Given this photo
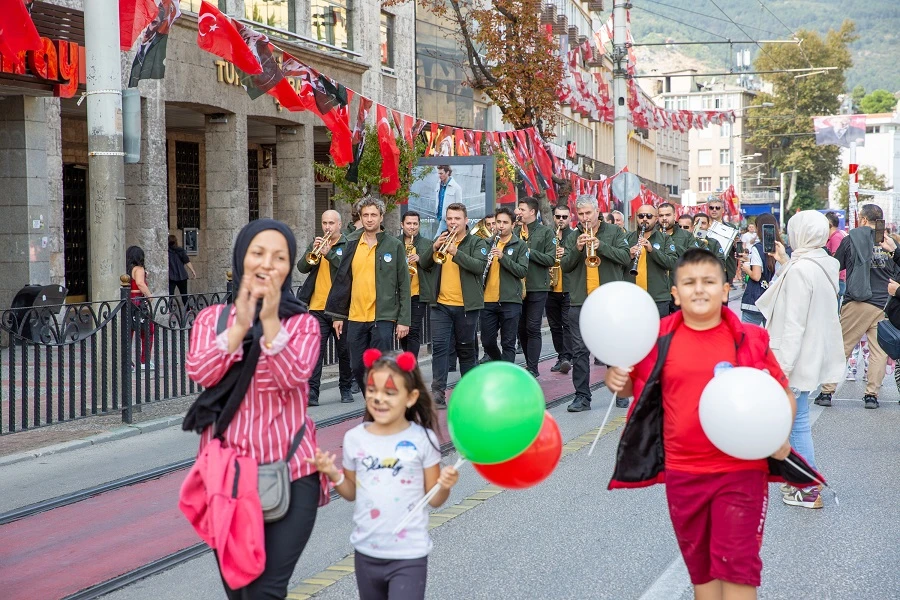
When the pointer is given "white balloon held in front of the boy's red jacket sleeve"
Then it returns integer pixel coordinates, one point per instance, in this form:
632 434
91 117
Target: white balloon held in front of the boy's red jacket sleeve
745 413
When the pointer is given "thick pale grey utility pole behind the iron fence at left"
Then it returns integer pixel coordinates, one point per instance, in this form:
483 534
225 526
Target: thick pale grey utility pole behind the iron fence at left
106 171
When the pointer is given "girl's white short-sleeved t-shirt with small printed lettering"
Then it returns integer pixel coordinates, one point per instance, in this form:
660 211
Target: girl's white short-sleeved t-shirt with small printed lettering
390 475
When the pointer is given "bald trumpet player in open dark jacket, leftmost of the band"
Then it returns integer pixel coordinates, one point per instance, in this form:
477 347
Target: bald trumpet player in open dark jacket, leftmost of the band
314 292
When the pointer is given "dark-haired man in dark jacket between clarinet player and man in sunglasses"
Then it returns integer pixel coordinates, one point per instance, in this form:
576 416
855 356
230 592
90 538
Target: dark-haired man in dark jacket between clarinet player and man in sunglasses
541 256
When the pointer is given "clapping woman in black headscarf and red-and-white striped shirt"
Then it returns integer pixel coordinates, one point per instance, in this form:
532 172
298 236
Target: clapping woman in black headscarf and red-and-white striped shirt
255 366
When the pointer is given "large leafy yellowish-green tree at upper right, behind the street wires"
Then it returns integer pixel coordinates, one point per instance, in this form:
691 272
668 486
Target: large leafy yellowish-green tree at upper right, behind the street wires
785 129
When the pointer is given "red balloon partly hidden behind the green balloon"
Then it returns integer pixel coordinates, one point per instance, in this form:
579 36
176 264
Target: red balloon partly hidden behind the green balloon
532 466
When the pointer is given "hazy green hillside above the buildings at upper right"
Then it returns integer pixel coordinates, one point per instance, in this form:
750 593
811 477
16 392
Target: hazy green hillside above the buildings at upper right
874 54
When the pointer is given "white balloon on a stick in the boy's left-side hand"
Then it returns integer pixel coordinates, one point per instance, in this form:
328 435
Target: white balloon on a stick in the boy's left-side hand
619 323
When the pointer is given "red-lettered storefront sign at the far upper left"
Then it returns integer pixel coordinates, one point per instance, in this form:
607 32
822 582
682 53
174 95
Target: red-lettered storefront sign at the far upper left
60 63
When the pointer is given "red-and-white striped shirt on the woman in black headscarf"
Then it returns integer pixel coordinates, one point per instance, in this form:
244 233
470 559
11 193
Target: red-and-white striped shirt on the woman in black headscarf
274 407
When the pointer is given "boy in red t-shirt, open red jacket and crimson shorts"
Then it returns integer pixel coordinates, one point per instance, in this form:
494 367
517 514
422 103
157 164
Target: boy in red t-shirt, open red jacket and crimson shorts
717 502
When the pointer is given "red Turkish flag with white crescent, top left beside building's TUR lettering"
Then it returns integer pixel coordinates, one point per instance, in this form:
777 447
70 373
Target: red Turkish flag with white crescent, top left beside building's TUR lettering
219 34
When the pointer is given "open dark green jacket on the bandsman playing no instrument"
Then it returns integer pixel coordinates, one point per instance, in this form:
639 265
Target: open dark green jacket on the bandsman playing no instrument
391 281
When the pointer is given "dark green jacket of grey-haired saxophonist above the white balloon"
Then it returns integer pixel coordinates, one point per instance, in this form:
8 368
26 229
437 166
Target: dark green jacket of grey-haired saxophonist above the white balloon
614 259
